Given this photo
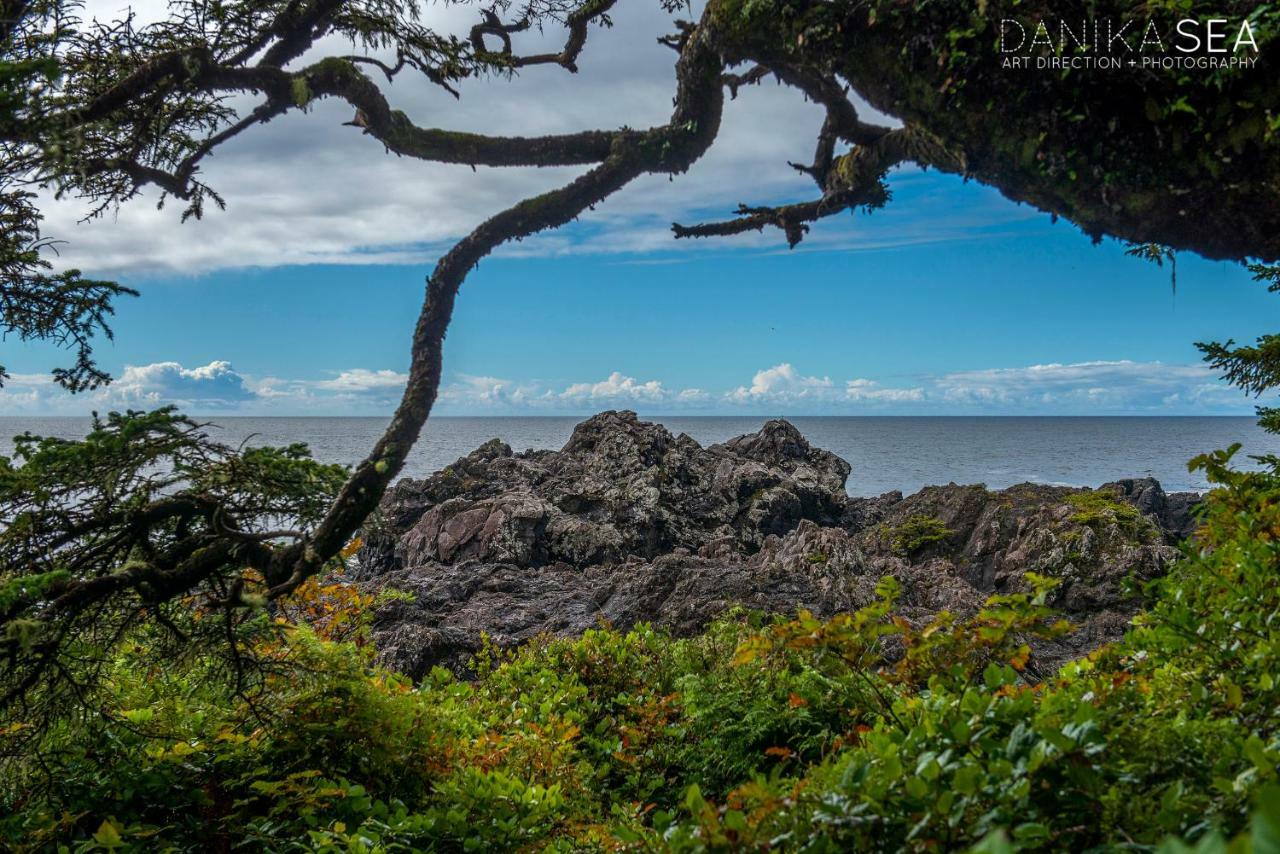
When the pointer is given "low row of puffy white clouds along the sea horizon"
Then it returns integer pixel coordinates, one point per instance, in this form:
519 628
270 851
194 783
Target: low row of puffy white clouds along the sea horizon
1085 389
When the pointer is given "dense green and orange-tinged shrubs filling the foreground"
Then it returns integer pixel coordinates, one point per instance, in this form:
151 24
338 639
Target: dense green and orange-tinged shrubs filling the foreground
862 733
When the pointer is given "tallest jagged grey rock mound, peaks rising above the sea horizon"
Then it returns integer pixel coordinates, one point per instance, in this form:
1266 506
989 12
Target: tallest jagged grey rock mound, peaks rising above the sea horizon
620 488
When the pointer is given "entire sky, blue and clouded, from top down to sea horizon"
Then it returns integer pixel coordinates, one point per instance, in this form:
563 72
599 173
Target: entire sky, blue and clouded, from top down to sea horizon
300 298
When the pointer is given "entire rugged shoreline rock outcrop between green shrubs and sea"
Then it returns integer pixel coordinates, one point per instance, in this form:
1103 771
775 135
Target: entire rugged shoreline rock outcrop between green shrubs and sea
630 524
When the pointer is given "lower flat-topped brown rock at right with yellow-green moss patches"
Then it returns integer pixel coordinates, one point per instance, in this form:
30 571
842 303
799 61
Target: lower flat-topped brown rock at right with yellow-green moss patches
1101 545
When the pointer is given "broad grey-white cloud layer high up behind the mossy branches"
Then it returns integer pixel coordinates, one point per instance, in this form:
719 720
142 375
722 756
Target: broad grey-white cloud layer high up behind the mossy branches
333 195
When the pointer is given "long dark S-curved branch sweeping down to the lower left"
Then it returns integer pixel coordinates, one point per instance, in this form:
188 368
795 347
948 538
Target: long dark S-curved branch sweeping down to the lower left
217 556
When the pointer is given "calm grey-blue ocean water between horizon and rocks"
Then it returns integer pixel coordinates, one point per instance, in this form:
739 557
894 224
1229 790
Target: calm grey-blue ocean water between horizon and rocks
885 453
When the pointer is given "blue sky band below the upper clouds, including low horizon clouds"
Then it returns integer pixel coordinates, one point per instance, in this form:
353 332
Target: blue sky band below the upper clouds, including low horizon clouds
1009 316
